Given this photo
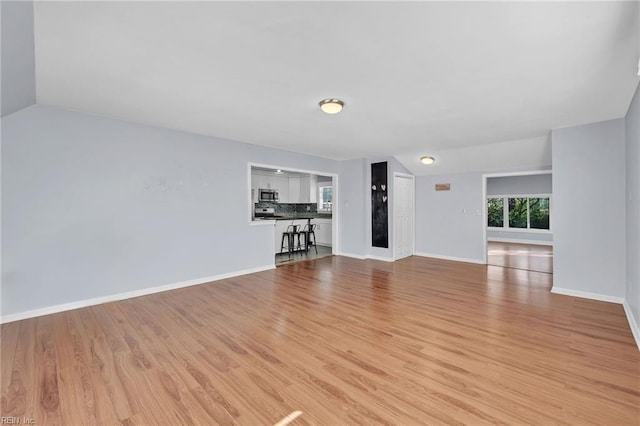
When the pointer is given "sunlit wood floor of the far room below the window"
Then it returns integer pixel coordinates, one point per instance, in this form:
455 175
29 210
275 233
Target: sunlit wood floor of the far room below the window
521 256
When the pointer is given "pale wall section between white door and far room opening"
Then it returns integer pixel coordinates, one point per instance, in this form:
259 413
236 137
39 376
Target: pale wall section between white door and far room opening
442 229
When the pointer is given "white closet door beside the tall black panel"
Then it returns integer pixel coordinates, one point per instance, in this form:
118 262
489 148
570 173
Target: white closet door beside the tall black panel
403 211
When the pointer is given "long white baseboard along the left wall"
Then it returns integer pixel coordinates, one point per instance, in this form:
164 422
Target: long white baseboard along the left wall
126 295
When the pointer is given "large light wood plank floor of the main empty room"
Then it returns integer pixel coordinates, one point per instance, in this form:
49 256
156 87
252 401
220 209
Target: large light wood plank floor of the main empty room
345 341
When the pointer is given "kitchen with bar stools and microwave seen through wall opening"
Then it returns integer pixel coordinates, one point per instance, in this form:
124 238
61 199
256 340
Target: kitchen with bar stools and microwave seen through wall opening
300 206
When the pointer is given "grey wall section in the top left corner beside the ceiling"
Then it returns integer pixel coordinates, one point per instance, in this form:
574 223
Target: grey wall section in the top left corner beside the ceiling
18 81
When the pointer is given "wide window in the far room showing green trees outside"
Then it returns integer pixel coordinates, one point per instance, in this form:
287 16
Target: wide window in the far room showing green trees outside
519 212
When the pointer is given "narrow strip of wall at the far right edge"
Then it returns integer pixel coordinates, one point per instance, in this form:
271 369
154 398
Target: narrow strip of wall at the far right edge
632 156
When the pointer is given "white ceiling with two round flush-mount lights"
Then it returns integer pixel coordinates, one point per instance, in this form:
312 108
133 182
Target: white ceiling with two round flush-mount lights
416 78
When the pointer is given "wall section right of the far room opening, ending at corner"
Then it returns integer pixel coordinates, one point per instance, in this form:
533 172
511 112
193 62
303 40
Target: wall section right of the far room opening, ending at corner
589 208
